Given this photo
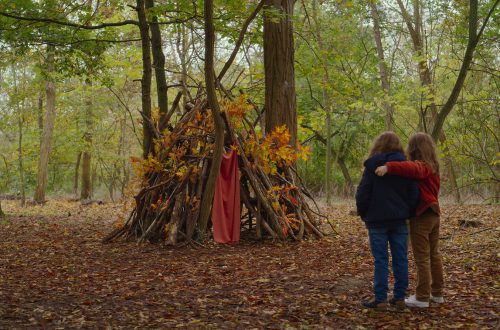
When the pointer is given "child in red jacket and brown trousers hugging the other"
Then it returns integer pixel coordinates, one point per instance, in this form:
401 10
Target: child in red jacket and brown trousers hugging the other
424 228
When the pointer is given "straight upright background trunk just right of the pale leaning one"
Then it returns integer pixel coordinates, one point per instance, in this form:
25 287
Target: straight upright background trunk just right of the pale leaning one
86 192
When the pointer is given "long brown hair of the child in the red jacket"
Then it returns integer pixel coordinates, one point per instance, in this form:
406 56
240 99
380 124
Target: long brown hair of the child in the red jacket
422 147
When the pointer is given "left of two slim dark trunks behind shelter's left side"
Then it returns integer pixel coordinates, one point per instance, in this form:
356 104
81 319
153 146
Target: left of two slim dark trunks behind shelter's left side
147 141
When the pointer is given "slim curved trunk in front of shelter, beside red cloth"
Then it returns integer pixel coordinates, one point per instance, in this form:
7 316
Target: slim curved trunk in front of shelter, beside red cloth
208 194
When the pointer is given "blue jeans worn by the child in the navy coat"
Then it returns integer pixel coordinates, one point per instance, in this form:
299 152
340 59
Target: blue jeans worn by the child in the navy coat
397 237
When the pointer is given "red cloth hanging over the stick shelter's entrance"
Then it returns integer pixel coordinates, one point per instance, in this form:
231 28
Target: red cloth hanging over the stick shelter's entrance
226 207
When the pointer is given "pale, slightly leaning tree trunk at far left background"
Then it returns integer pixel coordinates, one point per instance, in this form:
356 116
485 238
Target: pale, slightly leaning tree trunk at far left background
48 128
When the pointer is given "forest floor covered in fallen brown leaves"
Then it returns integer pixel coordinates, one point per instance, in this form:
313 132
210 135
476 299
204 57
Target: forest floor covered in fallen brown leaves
55 273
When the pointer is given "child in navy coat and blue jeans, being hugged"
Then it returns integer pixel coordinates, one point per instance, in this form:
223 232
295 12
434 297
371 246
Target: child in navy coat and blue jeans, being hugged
385 204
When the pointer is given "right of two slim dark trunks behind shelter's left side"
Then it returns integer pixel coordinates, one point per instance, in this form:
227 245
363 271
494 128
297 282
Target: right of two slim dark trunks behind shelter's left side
158 62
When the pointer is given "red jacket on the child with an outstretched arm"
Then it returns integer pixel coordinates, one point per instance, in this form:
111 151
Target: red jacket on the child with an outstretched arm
428 182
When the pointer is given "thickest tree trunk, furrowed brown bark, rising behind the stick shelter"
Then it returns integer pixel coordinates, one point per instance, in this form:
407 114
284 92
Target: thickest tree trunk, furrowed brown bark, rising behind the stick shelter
280 98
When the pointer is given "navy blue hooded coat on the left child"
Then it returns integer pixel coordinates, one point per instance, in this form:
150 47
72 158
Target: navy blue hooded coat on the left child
385 201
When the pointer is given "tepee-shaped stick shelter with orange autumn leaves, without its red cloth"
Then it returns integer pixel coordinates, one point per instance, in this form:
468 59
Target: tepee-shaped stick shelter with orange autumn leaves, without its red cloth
167 206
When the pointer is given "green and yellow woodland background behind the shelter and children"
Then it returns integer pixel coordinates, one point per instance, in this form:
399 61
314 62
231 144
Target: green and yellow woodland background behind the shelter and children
70 73
